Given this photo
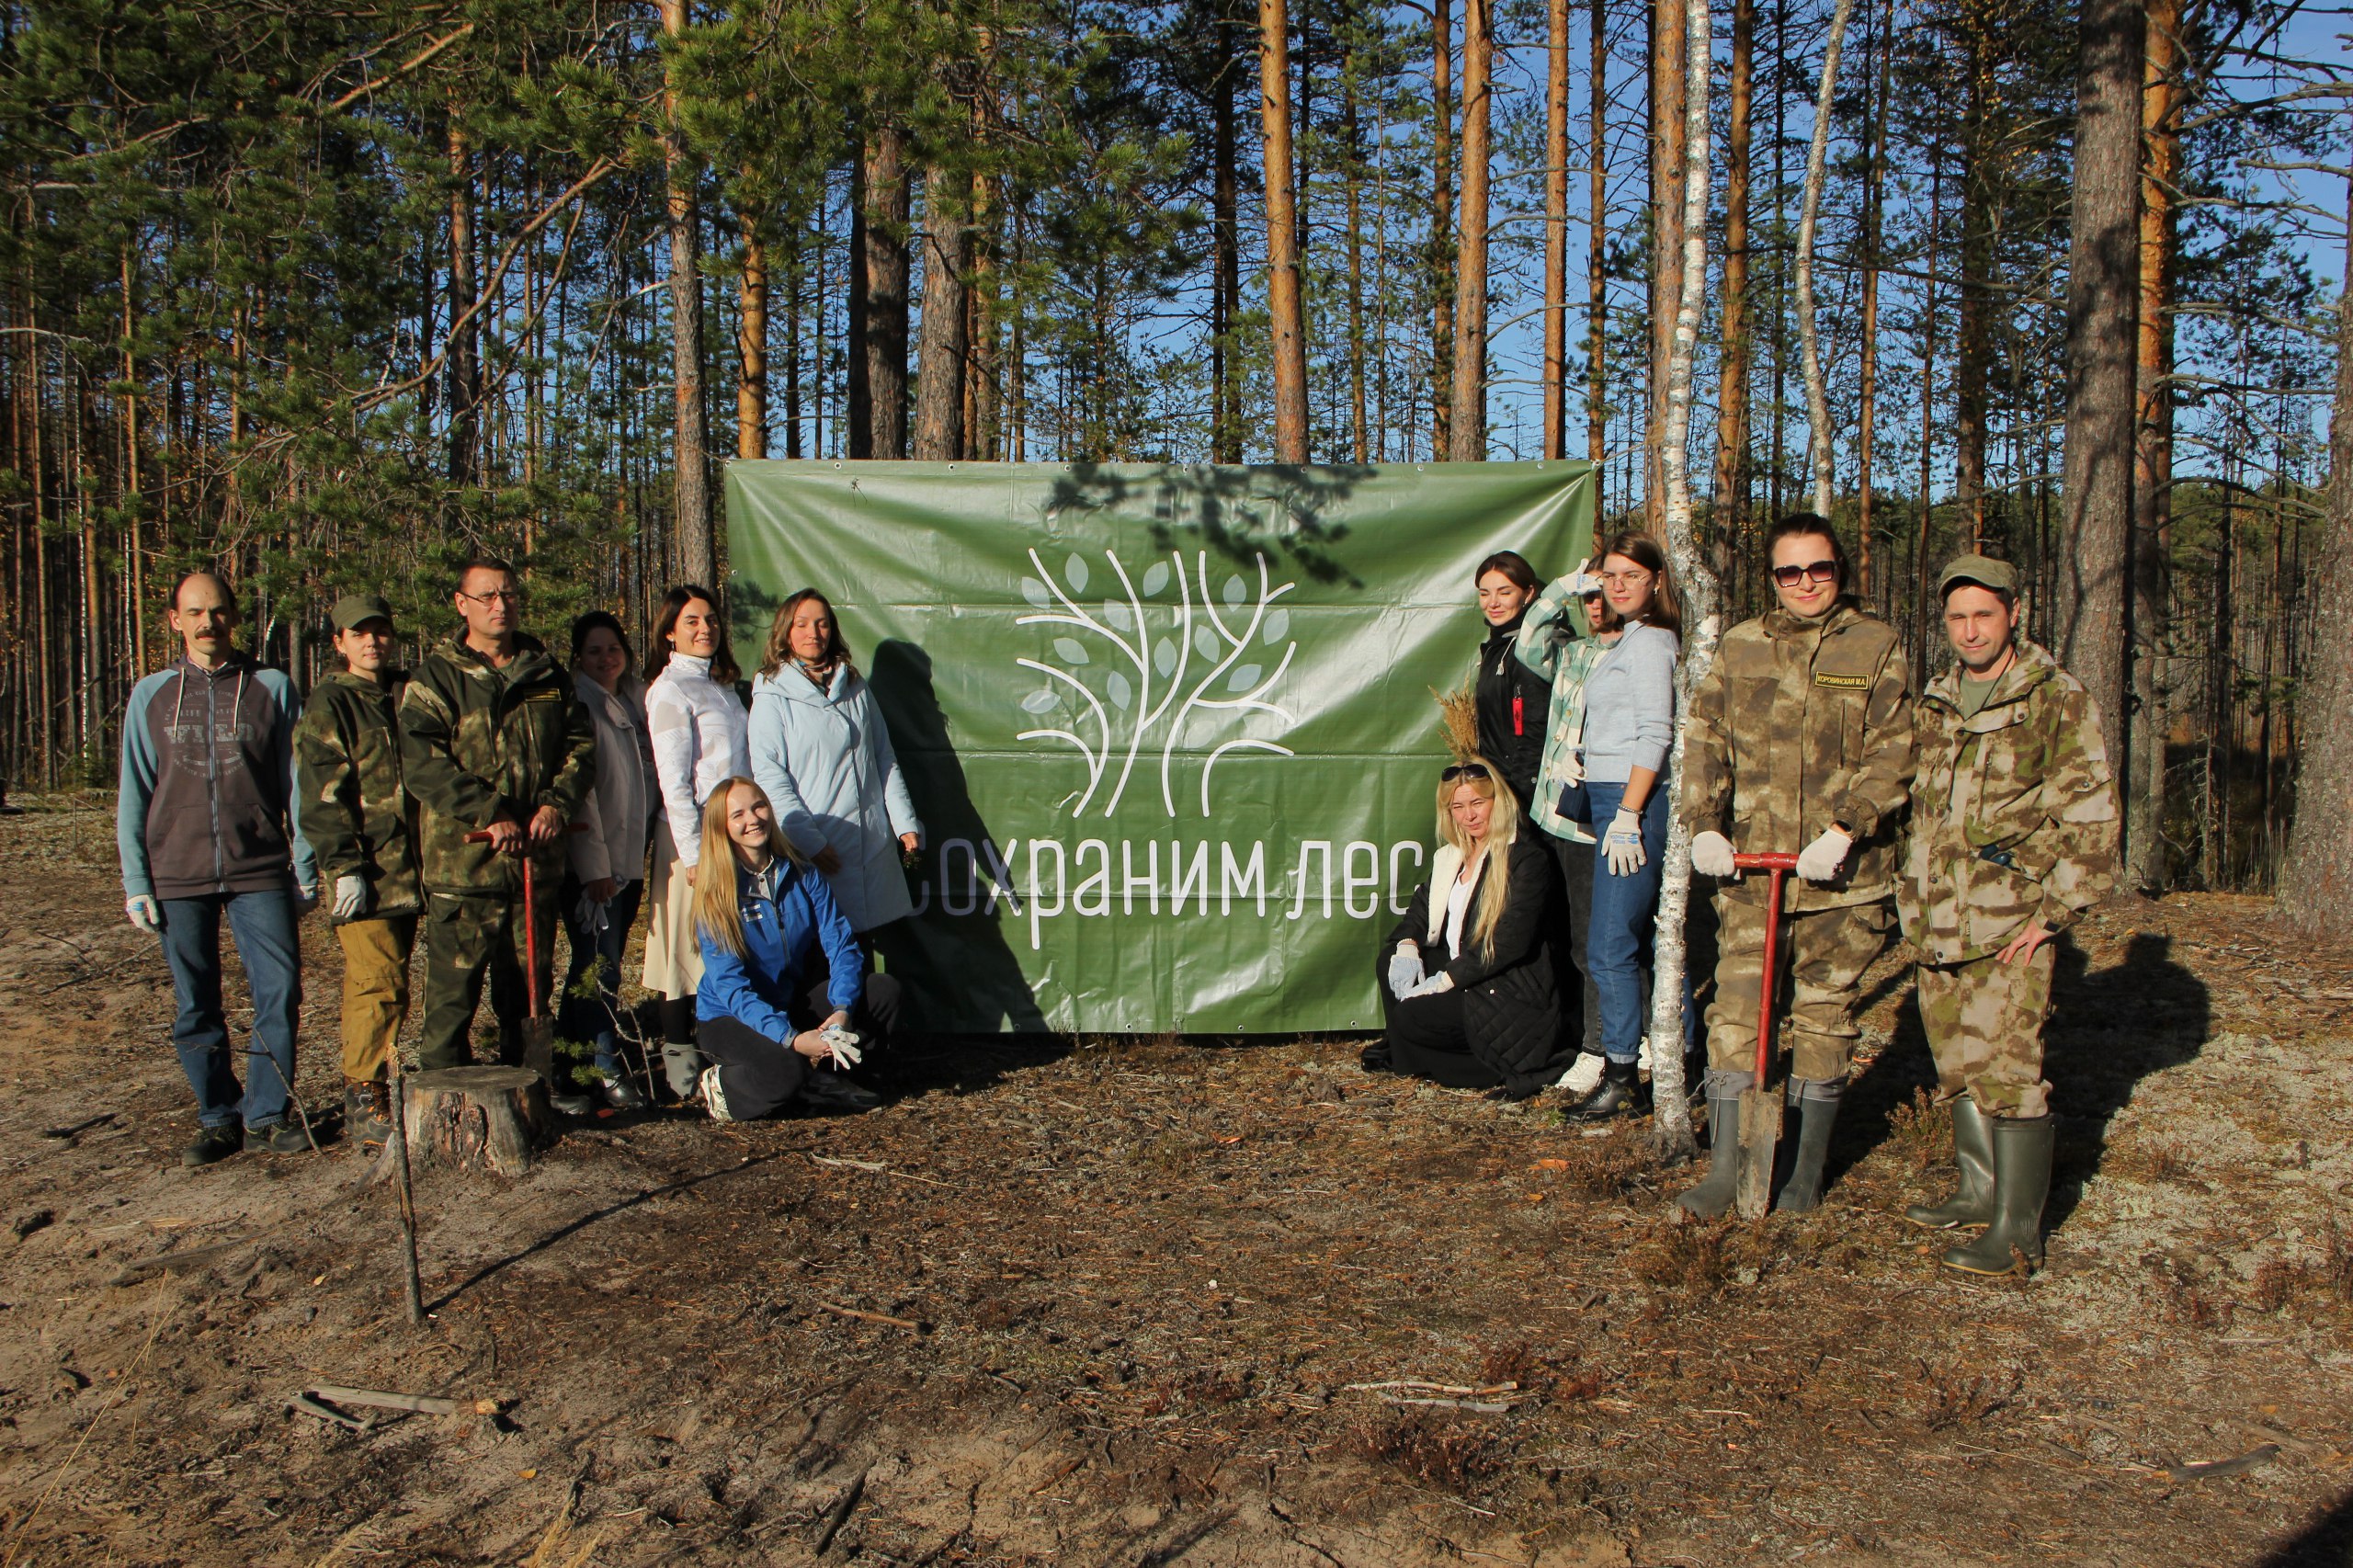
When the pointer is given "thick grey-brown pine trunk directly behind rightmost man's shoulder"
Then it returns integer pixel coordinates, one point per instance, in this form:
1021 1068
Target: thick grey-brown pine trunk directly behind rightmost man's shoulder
2102 324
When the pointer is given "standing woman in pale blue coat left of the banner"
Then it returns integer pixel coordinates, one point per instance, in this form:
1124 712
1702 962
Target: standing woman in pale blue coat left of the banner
825 759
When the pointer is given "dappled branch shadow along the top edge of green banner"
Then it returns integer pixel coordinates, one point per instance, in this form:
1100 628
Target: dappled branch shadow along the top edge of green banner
1229 507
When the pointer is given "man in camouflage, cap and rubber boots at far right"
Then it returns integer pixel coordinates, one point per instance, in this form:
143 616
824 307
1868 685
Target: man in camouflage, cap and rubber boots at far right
2013 837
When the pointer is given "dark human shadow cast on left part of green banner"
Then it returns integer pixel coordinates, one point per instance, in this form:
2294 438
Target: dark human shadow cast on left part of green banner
938 952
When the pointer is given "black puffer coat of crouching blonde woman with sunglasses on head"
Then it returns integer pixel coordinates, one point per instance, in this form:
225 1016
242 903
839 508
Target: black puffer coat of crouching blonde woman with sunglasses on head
1512 999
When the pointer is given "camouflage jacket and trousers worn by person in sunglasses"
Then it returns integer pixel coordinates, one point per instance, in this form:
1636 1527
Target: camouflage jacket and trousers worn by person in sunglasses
1797 726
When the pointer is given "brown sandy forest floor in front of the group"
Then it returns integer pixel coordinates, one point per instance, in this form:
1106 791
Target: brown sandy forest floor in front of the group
1124 1301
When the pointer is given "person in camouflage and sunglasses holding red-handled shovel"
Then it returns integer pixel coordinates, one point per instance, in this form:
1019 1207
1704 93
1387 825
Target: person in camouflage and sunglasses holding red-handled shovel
1801 738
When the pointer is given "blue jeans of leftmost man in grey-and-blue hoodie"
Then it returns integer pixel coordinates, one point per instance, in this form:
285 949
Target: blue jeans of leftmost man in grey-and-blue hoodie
192 943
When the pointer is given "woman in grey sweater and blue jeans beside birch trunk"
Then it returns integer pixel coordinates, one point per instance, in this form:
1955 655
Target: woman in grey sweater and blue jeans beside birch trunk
1627 733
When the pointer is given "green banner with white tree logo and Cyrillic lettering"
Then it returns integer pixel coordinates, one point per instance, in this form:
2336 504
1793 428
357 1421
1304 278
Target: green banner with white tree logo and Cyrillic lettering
1168 729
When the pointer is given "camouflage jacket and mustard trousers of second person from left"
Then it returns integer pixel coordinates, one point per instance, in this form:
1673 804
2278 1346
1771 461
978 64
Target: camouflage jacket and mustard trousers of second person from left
361 823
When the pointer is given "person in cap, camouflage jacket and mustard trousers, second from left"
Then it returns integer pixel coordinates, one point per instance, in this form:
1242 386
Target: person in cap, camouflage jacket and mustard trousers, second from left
356 816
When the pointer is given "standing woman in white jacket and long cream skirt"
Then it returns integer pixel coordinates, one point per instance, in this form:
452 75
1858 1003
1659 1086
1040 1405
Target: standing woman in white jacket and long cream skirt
698 726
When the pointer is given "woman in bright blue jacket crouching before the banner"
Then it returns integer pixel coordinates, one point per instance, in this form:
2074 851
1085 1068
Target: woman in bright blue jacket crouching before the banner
787 1006
